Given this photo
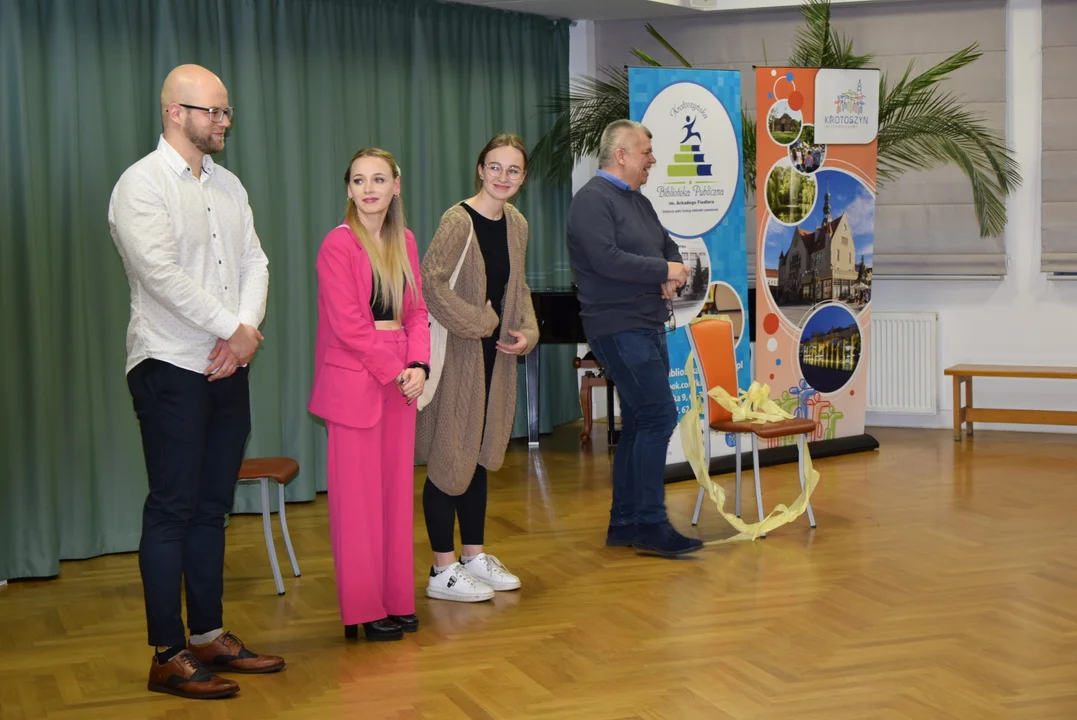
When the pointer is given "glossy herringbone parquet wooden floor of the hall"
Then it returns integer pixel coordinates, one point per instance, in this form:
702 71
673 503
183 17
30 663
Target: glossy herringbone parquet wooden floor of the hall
942 583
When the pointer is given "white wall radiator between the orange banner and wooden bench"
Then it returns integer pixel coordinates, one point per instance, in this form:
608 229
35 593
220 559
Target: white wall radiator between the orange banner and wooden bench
903 364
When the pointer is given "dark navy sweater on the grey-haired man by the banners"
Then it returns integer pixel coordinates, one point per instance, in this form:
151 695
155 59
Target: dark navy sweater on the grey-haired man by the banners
620 252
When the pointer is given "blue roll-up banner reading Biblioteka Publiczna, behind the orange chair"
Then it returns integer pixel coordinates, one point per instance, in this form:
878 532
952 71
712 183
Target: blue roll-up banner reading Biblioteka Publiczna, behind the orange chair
698 191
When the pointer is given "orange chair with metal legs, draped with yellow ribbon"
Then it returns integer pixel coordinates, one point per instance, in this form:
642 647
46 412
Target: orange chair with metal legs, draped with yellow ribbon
712 343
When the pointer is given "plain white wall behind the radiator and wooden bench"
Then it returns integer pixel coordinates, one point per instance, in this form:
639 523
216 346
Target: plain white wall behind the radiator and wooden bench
1025 319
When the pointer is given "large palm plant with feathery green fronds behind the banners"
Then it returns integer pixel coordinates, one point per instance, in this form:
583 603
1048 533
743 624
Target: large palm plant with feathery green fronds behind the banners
921 126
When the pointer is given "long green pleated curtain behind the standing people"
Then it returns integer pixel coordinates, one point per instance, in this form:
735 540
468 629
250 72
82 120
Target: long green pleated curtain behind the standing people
313 81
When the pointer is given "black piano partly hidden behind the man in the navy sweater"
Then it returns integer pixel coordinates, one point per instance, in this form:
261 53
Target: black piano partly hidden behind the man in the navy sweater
557 310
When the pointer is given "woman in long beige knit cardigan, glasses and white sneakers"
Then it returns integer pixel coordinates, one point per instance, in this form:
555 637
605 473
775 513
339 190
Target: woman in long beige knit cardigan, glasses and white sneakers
488 316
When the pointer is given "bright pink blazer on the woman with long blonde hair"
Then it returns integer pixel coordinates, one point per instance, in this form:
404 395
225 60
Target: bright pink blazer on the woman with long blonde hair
353 360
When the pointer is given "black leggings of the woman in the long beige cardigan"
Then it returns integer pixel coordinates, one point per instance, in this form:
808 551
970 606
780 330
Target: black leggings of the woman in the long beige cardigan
442 510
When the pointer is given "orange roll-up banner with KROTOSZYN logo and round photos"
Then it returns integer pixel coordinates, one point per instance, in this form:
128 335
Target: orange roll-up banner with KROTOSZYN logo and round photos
817 139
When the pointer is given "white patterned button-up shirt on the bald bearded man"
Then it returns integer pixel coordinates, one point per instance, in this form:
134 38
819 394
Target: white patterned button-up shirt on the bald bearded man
193 260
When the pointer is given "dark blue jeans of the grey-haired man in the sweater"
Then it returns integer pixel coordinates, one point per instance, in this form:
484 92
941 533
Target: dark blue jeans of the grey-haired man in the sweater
638 362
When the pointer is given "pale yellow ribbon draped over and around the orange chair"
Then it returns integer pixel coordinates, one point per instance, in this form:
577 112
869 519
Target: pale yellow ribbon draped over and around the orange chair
756 406
